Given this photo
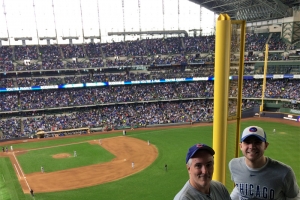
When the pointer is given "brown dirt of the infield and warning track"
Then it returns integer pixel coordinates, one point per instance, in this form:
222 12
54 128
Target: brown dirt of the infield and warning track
126 149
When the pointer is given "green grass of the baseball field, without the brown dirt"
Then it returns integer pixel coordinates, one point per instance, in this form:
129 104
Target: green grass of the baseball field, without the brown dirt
153 182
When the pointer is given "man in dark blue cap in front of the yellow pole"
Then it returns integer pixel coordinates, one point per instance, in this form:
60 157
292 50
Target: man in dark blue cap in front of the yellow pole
200 165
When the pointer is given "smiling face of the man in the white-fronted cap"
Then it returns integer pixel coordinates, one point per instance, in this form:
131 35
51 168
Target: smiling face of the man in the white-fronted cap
253 148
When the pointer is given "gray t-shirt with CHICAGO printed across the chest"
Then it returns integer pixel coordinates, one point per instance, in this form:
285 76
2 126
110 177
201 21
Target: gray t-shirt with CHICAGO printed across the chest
275 180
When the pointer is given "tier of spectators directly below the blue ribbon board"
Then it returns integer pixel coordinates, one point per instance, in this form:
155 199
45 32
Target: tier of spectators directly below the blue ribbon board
31 100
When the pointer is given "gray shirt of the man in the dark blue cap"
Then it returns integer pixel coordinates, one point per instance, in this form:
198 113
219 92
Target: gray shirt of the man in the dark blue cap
217 192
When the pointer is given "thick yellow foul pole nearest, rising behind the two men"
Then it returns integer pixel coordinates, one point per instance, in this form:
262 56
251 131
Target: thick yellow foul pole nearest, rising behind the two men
221 89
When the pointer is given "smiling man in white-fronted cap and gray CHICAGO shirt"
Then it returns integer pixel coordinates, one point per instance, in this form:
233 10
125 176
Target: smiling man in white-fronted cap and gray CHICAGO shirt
259 177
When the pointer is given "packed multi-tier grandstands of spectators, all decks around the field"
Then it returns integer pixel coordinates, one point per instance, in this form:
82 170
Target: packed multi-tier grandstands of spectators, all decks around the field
23 111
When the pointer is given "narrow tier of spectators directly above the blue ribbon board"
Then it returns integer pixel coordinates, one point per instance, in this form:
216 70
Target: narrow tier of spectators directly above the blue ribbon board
152 74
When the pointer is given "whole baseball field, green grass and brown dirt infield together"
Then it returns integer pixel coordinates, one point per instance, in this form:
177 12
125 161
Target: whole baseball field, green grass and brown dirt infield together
103 167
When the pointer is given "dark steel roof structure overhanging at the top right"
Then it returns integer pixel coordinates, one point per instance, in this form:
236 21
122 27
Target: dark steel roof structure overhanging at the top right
251 10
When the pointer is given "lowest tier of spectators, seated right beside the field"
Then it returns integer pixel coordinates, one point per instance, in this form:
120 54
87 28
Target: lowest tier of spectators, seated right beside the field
117 116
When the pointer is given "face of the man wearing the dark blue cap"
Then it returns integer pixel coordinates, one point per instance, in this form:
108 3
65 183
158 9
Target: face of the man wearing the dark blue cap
201 169
